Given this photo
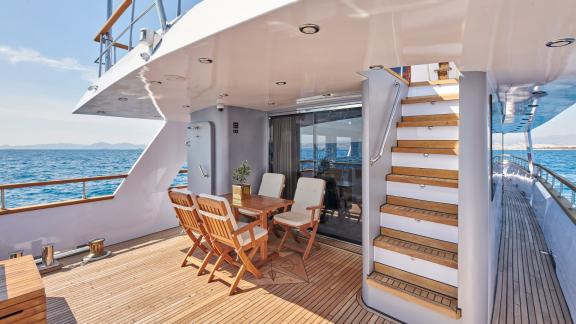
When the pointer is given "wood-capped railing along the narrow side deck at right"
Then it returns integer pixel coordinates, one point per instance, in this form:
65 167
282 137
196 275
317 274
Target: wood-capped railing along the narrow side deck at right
559 187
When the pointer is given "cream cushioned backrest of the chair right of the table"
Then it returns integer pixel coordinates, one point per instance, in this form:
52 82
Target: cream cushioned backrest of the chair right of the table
309 192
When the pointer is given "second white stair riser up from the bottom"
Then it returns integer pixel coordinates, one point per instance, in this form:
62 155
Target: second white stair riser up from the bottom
416 226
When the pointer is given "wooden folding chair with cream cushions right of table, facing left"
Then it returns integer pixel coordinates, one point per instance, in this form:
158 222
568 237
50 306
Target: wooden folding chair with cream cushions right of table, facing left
304 214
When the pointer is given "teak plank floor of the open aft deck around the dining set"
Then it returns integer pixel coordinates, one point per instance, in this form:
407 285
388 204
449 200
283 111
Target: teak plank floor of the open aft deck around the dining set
143 282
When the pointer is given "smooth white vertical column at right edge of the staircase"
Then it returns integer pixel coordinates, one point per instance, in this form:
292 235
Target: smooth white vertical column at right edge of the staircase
474 199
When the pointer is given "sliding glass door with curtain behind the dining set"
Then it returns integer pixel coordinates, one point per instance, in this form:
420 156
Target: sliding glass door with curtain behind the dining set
326 145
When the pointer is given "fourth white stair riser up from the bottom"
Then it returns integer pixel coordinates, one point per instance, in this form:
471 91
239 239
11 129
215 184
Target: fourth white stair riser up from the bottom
419 160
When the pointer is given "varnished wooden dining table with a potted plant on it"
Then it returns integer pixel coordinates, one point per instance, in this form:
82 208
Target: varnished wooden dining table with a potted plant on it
264 206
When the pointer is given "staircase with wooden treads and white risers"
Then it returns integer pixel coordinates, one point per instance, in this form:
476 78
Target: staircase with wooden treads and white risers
416 253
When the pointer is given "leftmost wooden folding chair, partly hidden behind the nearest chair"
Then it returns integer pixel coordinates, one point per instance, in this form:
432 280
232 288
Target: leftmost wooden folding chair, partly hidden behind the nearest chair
186 212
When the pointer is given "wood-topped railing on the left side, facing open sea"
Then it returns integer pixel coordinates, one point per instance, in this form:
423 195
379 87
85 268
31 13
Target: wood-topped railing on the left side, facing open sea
84 181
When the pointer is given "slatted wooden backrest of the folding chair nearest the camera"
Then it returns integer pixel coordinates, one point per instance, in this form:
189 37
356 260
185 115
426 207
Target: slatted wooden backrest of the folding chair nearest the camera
217 218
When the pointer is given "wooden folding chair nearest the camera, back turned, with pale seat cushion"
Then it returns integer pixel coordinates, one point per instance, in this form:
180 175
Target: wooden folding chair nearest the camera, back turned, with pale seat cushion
229 235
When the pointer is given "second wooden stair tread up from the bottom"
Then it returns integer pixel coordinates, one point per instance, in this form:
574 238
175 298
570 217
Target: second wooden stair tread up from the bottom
419 251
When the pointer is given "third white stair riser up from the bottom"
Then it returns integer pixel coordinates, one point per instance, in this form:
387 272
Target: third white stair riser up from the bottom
429 193
